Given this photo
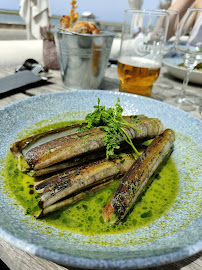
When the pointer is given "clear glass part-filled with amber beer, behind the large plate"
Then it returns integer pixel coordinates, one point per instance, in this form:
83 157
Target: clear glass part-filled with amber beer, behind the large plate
142 48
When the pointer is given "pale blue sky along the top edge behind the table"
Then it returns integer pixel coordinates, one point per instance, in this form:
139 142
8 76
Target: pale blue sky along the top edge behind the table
104 10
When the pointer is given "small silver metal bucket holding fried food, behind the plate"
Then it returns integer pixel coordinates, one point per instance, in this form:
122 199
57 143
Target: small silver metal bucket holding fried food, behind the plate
83 58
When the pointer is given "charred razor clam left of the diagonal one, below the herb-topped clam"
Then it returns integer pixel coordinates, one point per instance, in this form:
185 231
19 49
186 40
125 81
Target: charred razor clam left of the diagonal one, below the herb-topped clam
68 182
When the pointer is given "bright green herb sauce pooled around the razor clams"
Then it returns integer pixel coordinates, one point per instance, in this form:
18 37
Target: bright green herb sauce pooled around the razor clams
85 216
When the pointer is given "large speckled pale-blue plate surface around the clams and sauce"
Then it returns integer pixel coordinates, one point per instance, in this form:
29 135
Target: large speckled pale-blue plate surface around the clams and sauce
175 235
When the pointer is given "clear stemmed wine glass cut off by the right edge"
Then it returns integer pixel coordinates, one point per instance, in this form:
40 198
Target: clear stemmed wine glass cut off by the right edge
189 48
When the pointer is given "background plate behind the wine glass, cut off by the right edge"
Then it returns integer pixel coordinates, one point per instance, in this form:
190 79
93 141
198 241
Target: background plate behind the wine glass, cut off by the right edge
172 67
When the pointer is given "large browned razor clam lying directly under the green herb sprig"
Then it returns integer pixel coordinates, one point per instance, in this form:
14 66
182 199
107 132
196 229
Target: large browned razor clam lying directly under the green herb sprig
74 145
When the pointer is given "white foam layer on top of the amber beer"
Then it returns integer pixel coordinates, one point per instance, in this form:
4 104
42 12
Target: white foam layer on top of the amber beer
139 62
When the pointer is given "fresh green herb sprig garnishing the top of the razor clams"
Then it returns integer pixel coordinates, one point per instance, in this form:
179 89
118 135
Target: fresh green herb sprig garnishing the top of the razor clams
112 122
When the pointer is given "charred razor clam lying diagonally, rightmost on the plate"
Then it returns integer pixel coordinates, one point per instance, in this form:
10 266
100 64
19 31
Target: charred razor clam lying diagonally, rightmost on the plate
137 177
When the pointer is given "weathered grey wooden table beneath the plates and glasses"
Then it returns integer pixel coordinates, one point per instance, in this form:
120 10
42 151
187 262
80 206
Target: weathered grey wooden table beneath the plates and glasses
16 259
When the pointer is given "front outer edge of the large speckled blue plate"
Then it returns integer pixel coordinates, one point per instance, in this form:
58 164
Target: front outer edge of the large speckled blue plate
69 260
